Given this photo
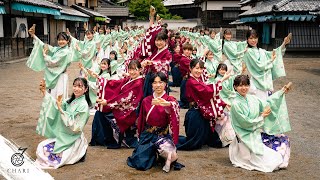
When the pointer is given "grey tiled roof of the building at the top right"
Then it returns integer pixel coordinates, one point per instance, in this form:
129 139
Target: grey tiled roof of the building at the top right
266 7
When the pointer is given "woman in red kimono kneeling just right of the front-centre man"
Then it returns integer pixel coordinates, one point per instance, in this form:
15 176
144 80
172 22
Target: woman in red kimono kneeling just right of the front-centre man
206 107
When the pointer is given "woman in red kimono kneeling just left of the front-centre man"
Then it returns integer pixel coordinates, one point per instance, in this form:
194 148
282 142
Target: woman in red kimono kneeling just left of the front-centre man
113 126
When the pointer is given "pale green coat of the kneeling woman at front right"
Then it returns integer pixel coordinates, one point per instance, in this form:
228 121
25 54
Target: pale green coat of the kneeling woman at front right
248 123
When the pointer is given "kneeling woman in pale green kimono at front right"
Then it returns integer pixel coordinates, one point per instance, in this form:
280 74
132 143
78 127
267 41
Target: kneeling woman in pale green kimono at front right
259 144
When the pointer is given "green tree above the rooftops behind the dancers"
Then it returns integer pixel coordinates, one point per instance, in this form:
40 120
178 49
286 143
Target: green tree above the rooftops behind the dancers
140 9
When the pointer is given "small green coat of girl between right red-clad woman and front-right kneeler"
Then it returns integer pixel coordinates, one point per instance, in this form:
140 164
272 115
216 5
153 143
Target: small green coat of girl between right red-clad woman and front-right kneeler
227 94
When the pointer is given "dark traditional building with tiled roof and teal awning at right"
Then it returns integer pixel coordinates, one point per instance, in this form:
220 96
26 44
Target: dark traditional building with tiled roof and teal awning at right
274 19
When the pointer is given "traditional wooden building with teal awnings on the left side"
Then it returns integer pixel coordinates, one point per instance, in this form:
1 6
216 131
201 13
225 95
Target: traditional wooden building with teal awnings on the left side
50 17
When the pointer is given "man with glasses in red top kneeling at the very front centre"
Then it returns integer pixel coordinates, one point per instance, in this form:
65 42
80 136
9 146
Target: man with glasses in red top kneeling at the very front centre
158 112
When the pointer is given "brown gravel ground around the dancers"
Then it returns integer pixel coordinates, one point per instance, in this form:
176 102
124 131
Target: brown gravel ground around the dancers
20 106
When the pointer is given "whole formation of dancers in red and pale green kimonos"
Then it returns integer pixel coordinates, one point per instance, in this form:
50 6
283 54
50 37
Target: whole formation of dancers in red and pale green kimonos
124 77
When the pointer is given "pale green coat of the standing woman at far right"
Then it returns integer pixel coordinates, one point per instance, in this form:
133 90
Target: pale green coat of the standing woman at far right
263 71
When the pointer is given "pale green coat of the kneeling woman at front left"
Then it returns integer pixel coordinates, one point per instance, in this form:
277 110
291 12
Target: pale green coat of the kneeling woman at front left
66 128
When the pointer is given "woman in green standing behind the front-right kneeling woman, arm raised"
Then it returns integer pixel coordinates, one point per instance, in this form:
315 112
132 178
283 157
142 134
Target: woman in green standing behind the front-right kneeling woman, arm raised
263 66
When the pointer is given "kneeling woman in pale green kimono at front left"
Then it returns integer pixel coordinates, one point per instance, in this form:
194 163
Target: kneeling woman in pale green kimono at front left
63 123
